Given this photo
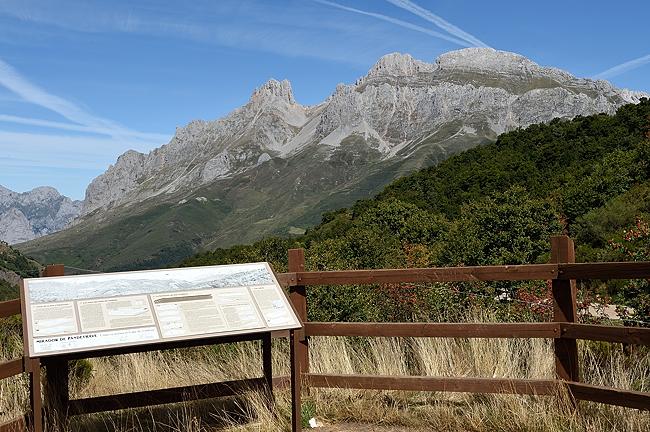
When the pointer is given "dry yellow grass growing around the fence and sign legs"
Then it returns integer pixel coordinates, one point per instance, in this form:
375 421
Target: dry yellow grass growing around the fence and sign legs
602 364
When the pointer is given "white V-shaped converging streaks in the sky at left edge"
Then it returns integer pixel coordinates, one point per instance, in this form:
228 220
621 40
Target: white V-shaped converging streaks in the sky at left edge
29 92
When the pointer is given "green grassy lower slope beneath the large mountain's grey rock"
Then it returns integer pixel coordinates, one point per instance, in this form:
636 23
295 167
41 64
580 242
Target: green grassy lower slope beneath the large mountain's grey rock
273 199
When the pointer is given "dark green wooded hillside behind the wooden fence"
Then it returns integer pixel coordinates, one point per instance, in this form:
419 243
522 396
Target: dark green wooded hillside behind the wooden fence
494 204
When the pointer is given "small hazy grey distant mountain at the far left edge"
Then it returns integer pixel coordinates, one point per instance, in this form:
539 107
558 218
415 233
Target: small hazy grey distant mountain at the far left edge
28 215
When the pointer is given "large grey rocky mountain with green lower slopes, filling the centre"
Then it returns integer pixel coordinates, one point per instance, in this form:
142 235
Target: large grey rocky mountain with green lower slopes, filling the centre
273 166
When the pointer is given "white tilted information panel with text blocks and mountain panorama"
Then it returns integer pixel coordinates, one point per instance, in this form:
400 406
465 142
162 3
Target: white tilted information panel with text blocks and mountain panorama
83 313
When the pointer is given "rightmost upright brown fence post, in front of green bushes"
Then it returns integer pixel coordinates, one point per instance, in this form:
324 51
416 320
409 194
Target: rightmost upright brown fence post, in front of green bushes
564 310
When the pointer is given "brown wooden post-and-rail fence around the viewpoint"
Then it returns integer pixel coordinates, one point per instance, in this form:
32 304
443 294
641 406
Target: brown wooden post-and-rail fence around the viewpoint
564 330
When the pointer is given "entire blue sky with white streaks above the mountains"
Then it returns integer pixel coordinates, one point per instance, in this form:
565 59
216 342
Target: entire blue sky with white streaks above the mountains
82 81
